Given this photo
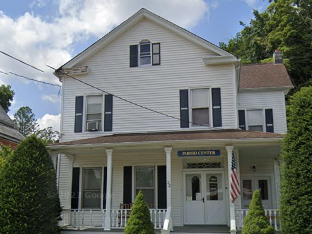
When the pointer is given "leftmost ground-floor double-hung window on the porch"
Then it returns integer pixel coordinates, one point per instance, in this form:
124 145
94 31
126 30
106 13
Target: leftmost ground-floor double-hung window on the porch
91 188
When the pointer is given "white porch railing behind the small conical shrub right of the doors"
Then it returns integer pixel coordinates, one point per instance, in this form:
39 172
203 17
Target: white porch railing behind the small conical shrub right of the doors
273 216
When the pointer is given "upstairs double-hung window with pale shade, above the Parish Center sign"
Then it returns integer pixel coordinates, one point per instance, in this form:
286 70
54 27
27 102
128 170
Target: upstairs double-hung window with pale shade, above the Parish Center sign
200 107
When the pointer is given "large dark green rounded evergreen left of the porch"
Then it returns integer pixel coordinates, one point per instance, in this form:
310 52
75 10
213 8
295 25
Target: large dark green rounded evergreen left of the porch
29 201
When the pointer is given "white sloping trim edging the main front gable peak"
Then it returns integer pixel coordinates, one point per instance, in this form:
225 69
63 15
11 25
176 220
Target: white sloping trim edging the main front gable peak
134 19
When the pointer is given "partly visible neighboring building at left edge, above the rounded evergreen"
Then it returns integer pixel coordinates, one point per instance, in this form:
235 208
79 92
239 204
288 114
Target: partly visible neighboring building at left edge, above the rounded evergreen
9 134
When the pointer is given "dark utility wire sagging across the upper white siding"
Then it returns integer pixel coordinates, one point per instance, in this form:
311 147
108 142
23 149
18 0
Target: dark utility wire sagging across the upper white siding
123 99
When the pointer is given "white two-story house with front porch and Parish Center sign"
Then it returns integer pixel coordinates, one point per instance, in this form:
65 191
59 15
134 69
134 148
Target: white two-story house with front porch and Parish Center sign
175 109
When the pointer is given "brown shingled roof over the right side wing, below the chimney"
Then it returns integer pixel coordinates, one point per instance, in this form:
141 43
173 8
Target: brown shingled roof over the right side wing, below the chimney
266 75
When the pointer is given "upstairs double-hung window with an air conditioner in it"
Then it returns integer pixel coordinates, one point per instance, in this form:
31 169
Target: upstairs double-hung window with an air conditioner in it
94 109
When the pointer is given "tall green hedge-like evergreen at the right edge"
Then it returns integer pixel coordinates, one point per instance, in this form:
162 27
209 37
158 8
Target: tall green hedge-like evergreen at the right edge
296 199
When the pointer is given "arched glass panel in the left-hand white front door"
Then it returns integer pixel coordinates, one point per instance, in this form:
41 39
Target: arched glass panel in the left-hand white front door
193 187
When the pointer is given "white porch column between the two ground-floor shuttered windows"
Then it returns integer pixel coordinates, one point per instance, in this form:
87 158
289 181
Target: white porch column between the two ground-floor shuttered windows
109 153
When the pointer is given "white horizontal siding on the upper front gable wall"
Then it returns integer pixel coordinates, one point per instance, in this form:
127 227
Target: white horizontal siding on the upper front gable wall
156 87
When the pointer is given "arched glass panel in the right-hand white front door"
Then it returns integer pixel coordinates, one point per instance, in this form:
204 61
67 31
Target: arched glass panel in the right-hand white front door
214 188
